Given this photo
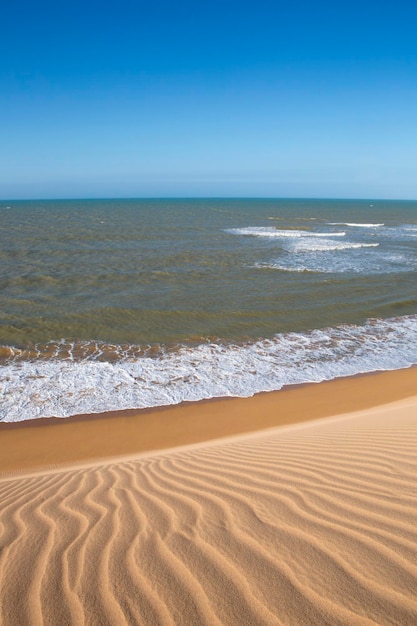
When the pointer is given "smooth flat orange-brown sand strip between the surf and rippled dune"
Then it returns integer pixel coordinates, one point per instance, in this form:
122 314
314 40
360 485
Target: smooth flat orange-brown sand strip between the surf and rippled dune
53 442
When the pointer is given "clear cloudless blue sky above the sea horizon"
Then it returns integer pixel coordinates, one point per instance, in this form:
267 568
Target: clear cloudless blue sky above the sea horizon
134 98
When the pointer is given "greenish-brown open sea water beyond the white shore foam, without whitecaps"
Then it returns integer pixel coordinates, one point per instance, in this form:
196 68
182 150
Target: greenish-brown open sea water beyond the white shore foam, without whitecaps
151 271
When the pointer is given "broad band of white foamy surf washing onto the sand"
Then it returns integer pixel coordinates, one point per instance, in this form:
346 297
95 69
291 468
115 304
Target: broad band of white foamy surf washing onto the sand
63 386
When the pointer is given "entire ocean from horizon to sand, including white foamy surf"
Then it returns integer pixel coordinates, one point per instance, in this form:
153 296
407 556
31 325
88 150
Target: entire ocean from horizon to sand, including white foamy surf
114 304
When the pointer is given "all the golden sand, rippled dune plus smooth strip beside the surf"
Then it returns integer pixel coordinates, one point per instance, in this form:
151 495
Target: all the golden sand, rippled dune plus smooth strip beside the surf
312 522
